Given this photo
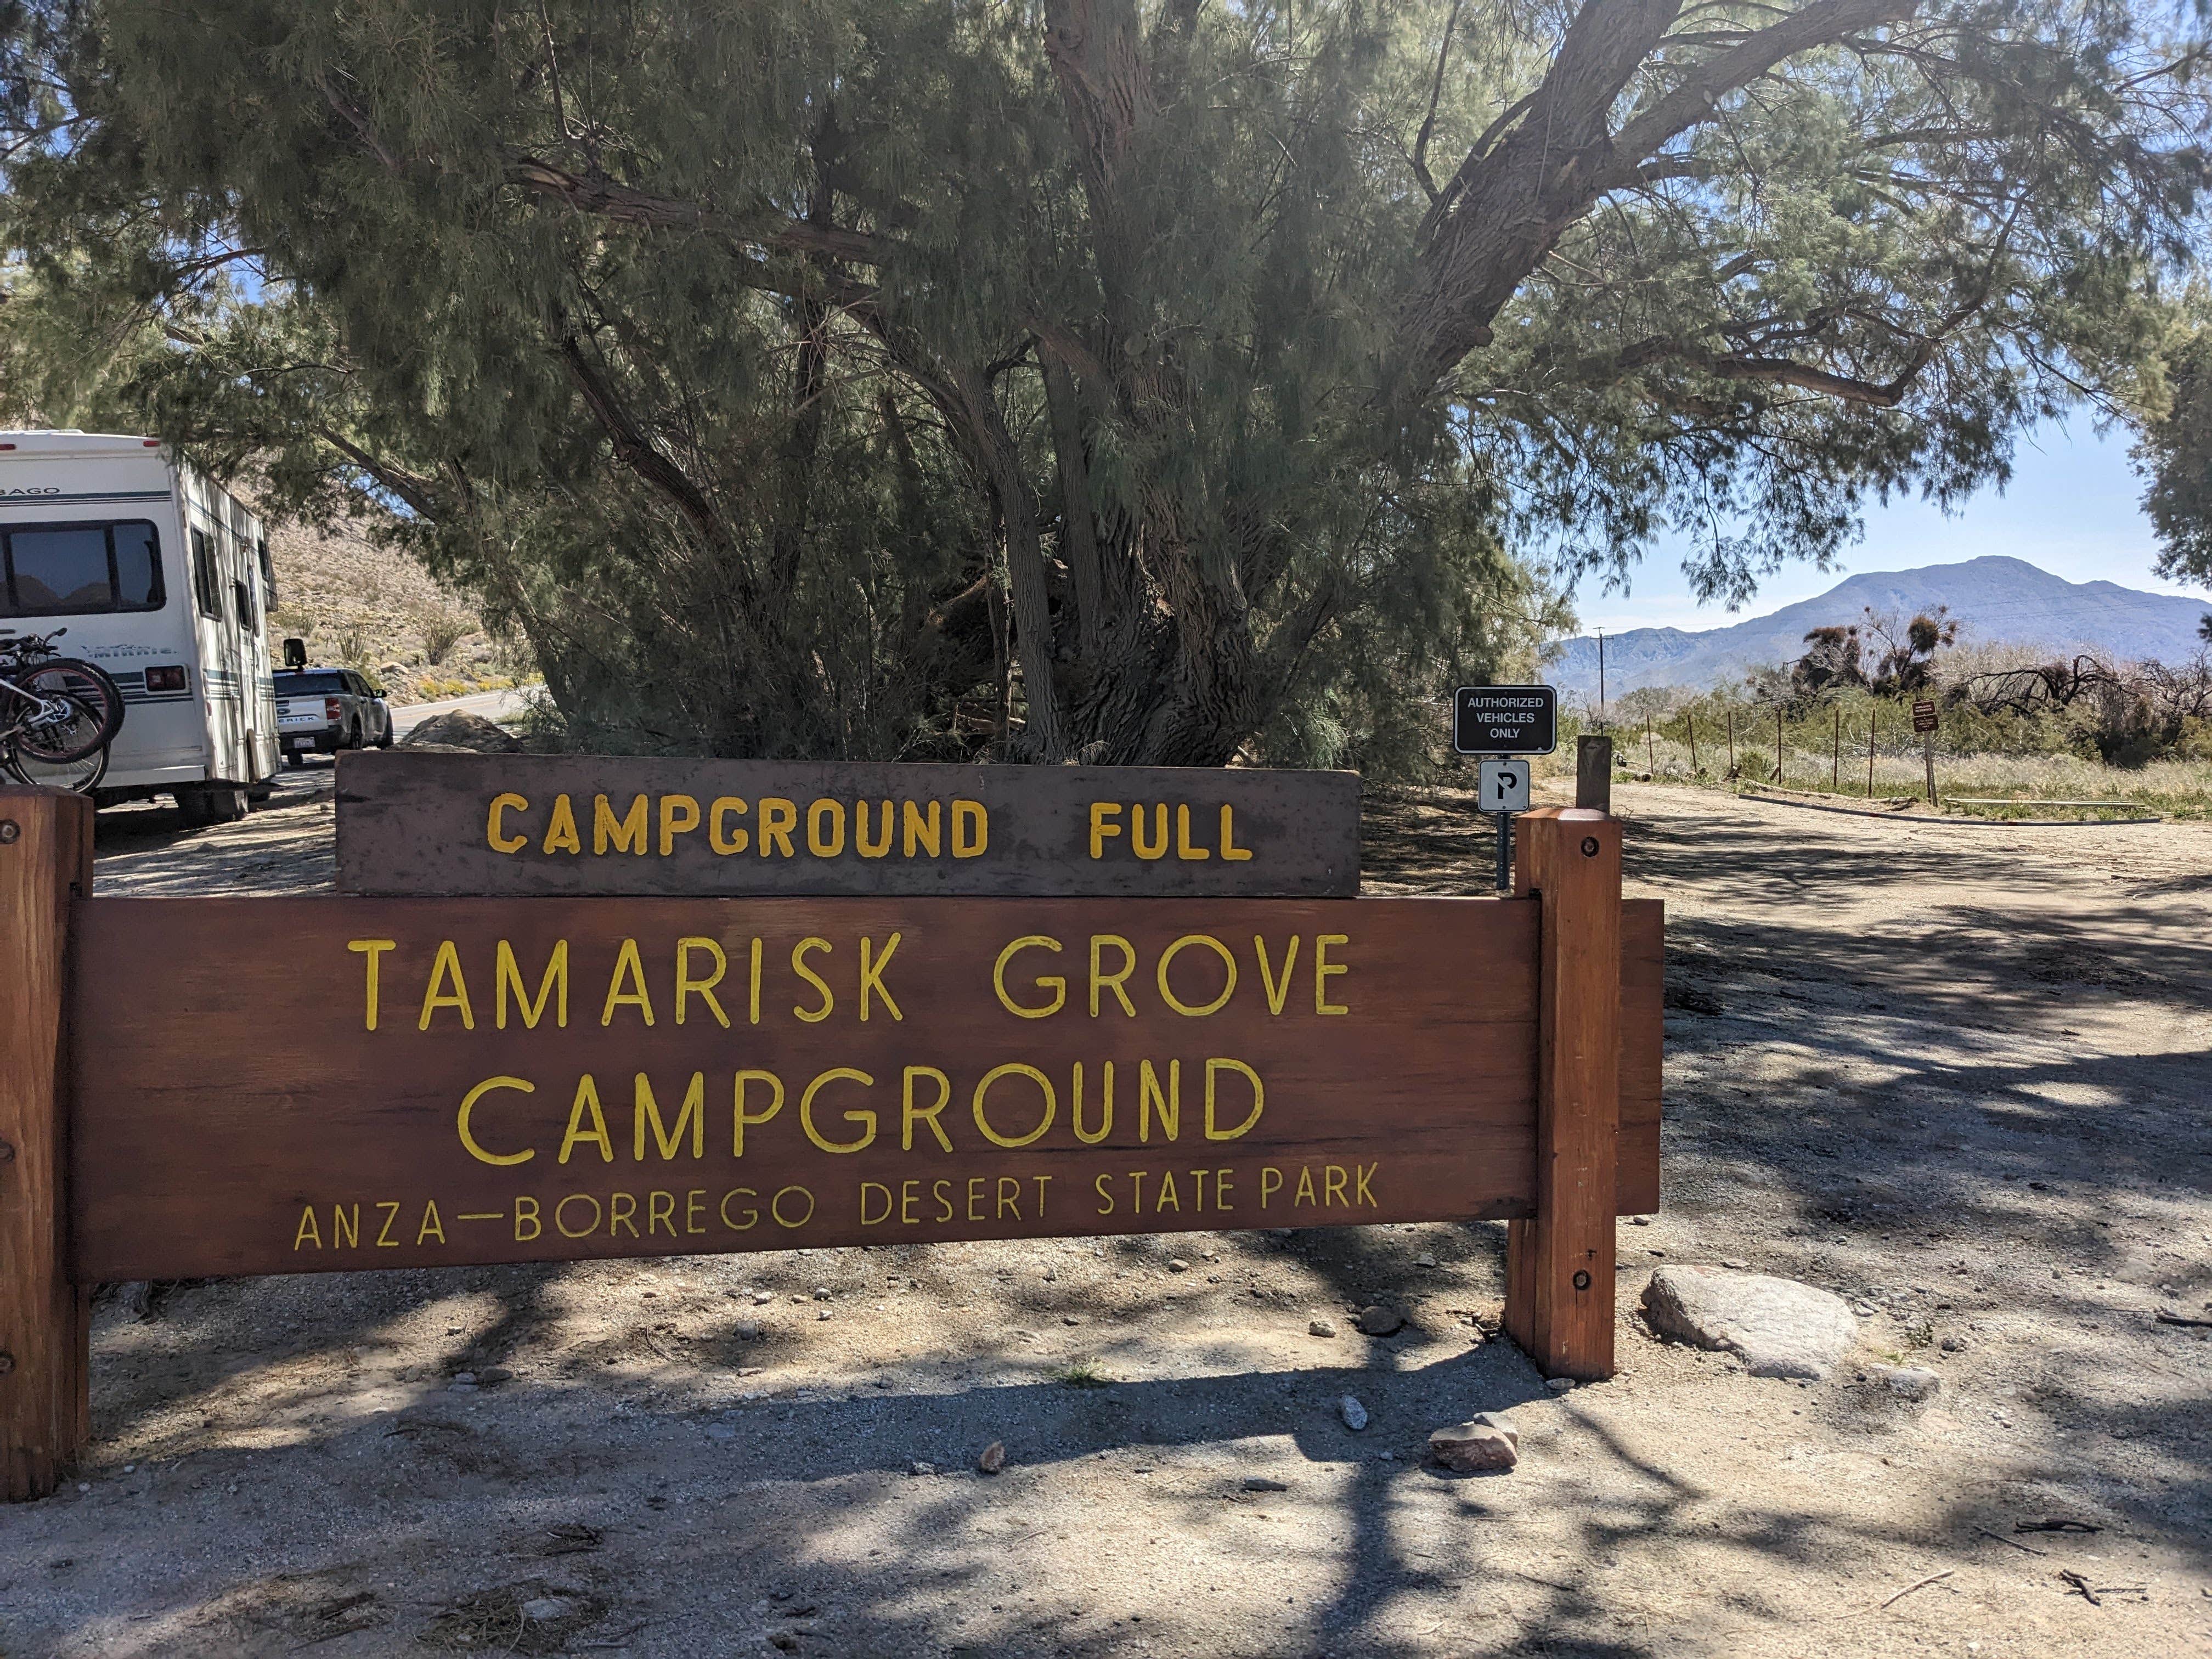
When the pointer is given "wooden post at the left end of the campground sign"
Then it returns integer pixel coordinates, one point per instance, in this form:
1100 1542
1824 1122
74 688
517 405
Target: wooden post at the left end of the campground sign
45 1322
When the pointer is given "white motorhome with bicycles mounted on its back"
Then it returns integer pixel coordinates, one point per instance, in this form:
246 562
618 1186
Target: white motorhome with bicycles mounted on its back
165 581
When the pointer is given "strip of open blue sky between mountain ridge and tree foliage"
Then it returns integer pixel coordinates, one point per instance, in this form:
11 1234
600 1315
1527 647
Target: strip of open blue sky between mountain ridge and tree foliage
2069 508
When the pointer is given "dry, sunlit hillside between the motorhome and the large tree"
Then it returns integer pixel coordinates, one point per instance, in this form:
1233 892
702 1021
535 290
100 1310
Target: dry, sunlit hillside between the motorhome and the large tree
377 609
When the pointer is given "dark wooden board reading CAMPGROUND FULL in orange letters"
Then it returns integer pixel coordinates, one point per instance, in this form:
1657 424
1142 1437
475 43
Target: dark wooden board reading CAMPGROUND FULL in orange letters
592 824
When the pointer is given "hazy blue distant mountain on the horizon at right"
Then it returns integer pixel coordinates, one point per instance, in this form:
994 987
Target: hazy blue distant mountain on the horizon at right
1996 598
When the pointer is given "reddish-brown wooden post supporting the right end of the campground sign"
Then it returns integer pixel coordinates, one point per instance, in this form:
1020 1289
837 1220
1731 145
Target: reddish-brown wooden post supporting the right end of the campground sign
1561 1262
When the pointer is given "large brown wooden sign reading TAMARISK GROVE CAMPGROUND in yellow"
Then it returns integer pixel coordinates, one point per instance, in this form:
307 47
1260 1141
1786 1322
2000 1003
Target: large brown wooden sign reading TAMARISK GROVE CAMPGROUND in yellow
335 1085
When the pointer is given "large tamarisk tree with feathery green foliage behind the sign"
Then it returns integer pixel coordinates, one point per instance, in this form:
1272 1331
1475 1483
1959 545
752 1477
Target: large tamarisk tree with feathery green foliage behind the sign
1083 379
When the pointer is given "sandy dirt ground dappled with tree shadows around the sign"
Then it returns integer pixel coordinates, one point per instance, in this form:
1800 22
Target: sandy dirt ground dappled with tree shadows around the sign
1954 1074
